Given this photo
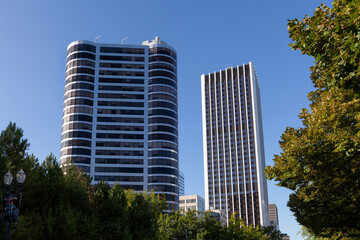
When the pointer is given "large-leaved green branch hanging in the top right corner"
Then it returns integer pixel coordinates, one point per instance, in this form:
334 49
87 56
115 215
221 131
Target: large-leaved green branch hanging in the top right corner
332 37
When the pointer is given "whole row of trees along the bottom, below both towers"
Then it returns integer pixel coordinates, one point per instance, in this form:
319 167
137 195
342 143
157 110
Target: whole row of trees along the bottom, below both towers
61 203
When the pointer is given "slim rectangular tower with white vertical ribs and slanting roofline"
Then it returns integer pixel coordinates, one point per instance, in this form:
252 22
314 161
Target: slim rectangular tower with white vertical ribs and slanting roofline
233 144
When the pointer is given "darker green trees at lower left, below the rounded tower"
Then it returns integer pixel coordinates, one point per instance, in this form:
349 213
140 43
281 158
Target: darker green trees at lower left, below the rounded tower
58 204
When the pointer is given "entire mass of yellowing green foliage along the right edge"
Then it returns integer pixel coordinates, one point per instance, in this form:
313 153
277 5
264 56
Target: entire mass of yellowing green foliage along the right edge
320 161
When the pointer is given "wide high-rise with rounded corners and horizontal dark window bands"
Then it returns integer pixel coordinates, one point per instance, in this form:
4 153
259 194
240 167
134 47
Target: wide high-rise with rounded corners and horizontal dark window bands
120 120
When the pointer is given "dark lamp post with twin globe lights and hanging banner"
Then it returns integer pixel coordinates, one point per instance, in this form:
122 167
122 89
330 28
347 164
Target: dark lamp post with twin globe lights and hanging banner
12 200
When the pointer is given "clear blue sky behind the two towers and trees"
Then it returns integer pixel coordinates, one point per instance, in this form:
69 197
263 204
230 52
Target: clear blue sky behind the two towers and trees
208 36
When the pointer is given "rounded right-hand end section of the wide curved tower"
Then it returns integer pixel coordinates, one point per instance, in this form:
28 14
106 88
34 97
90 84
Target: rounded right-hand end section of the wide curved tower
163 164
